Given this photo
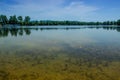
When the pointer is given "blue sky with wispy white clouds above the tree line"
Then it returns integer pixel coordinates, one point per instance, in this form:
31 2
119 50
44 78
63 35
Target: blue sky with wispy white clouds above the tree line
78 10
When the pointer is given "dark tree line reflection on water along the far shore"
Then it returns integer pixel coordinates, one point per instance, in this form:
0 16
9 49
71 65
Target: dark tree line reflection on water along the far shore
4 32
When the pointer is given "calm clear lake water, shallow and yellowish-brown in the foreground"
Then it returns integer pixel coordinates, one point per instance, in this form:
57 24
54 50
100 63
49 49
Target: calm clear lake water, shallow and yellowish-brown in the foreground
64 53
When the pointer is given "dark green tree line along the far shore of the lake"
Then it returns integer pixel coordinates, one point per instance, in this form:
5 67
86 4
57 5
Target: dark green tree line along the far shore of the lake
27 21
